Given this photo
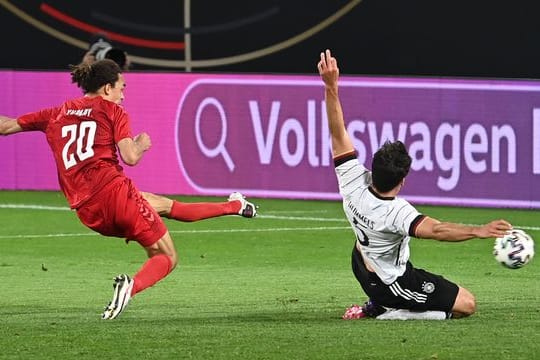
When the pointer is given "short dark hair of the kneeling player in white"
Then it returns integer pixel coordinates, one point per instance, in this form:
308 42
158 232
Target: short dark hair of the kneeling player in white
390 164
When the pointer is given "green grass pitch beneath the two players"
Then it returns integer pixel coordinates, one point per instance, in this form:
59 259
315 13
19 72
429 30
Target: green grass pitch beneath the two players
273 287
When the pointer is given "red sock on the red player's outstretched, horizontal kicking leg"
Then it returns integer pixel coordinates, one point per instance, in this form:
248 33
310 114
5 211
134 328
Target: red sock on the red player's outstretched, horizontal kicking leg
198 211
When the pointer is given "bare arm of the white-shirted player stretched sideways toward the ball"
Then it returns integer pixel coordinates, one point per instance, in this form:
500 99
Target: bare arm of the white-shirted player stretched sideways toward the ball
431 228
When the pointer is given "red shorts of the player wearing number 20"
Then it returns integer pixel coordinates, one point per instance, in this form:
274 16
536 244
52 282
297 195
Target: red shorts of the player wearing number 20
120 210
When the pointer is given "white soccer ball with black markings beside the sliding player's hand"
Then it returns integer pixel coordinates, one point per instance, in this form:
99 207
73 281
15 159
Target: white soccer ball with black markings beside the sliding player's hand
514 250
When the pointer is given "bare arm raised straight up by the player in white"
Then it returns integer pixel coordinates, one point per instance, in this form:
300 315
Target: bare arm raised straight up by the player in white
329 71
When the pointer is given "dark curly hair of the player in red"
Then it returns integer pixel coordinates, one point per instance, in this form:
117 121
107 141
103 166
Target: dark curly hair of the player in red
91 77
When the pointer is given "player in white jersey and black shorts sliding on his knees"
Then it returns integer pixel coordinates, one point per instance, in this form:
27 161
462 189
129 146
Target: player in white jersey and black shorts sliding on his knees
384 224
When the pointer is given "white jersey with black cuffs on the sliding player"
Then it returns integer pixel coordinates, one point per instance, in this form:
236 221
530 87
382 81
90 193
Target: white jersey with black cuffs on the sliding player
382 225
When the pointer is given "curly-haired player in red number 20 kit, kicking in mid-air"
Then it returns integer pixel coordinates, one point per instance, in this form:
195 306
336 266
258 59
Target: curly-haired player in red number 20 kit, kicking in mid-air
83 135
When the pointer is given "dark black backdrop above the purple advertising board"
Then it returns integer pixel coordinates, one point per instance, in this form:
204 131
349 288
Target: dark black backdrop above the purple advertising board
490 39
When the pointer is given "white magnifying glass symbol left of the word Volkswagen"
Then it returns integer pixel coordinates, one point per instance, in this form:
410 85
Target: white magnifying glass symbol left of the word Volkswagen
219 149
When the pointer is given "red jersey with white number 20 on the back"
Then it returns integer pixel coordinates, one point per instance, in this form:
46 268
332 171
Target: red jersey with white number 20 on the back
82 134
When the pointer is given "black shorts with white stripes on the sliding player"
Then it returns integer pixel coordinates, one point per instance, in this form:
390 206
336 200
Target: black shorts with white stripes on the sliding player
415 290
